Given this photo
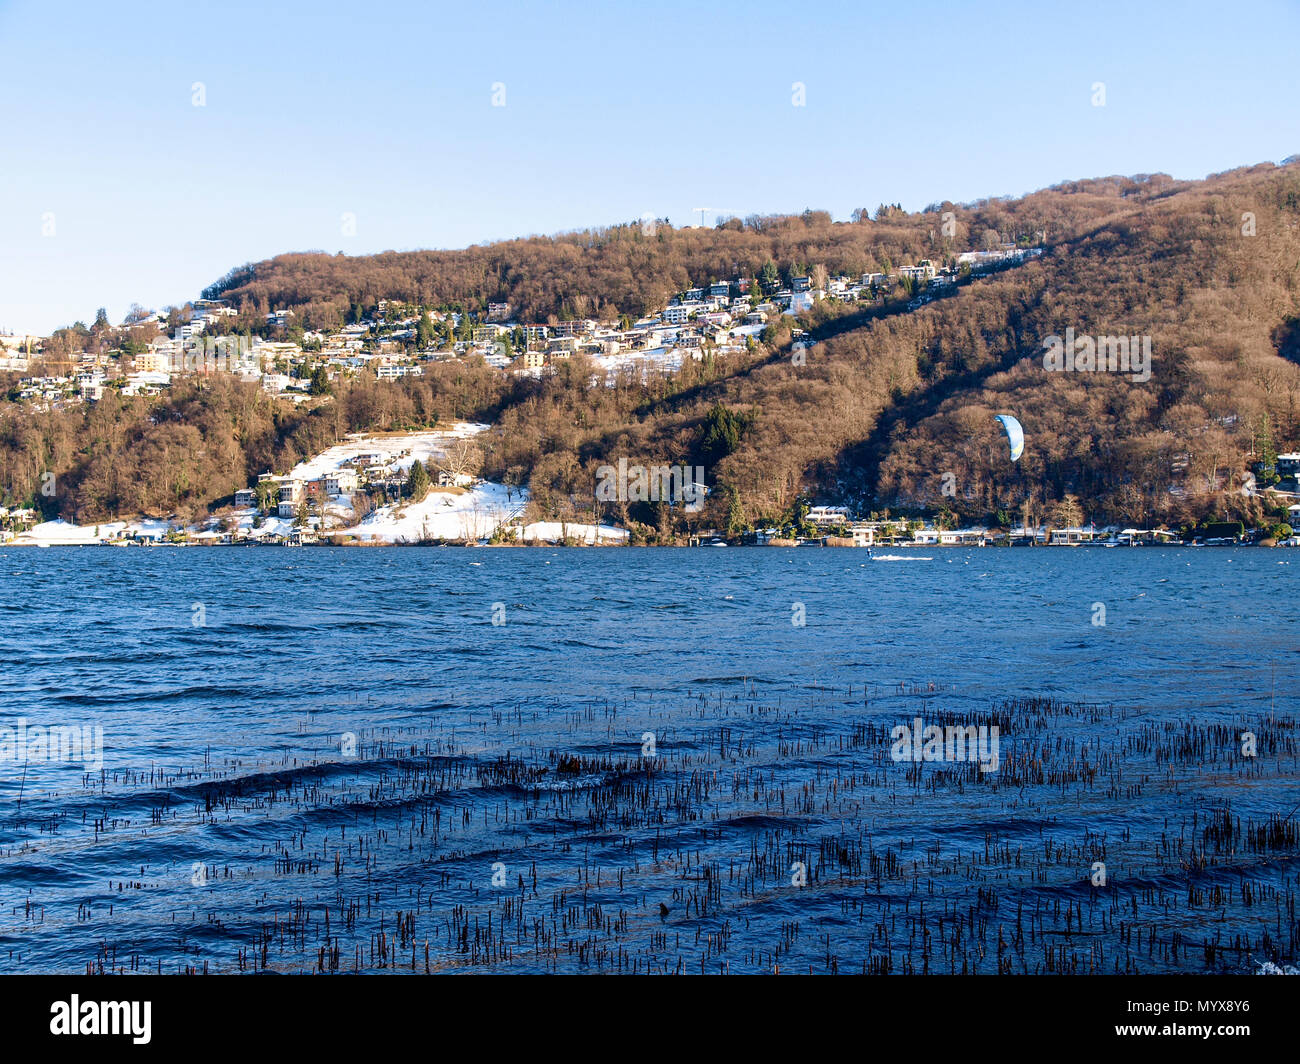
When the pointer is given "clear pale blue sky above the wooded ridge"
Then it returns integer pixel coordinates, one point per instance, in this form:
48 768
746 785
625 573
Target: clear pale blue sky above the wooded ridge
115 188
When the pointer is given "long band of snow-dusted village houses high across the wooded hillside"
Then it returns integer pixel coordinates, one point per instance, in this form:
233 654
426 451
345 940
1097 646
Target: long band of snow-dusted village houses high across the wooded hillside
396 340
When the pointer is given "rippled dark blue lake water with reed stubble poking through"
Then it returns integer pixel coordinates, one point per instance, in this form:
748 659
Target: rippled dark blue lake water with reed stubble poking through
517 759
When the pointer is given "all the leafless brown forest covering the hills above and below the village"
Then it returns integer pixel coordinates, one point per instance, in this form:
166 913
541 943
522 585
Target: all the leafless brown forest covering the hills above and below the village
876 414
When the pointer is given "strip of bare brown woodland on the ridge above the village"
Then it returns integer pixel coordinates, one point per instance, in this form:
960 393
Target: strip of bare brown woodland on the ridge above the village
631 269
